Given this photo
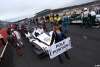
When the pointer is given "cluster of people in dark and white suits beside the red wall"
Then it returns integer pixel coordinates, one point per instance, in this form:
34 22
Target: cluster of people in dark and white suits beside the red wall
15 34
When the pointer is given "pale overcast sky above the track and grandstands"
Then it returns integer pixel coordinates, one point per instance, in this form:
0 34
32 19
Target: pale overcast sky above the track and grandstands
13 10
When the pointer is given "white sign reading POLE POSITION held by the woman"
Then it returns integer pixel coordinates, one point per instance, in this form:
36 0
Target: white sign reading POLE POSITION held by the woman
59 48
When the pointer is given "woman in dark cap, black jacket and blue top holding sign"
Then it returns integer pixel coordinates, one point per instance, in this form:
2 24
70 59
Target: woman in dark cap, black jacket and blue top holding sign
58 36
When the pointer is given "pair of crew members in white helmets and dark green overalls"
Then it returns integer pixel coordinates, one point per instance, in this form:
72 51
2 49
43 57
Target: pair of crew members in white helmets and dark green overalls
88 18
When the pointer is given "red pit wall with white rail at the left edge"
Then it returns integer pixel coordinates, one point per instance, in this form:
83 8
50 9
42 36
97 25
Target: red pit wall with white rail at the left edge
2 46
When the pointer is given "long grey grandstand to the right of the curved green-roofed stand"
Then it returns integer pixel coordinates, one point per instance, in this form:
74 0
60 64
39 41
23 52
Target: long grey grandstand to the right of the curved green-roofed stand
79 7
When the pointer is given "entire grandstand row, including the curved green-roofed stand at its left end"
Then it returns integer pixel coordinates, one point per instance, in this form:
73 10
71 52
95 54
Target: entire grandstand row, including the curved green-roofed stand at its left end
61 11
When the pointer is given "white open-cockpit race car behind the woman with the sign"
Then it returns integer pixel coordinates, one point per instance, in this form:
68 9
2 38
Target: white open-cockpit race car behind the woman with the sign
39 40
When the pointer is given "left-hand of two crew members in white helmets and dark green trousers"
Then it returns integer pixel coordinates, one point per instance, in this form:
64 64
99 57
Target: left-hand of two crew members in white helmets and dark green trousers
85 18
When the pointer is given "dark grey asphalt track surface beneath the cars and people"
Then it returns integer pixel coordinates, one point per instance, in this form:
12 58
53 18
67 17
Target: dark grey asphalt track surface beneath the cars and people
85 51
